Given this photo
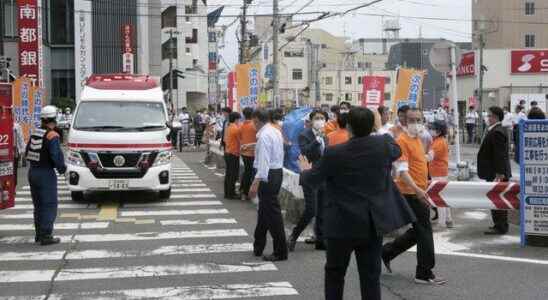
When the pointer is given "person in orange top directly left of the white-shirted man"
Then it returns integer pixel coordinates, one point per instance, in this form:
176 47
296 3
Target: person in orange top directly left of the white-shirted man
248 139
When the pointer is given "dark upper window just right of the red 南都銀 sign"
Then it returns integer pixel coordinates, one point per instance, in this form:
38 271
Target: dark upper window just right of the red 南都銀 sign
61 25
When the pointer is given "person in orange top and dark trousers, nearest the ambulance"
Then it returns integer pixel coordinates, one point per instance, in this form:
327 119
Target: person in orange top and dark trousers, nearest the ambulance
232 155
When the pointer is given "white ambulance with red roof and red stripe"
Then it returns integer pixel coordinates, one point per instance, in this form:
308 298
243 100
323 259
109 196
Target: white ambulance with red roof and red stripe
119 137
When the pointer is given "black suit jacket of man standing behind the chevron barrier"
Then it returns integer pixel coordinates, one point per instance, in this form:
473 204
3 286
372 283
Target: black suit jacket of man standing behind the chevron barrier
493 157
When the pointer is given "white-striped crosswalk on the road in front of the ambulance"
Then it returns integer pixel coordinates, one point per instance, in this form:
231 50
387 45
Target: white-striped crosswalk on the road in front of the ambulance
190 248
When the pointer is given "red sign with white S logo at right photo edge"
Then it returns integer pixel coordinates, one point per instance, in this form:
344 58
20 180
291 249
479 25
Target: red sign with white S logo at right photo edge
529 61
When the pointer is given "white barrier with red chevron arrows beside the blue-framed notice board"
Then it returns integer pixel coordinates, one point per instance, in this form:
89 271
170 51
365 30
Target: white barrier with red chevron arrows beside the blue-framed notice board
467 194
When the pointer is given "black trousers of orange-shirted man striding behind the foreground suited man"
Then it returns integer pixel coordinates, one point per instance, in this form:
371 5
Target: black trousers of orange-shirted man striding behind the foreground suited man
421 235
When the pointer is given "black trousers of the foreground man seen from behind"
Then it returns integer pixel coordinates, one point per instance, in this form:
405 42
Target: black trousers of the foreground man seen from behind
368 259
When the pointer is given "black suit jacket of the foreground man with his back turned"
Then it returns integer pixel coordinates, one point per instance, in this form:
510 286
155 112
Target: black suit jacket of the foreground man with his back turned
360 190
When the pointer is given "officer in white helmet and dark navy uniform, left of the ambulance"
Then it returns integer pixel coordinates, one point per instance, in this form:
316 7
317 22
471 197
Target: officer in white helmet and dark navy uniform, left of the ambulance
44 154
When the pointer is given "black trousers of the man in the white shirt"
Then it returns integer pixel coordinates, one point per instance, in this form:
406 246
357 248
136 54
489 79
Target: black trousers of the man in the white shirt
269 217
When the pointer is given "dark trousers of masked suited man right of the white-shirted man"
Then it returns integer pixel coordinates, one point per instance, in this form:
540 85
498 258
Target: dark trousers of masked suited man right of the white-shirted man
313 207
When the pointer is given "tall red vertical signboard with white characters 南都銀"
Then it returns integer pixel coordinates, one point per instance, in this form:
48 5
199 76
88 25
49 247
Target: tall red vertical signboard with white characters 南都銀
28 39
